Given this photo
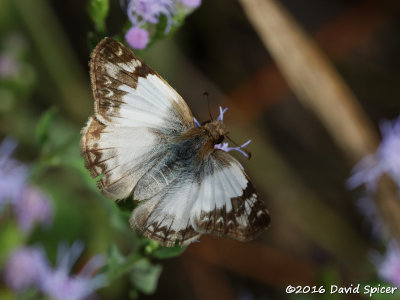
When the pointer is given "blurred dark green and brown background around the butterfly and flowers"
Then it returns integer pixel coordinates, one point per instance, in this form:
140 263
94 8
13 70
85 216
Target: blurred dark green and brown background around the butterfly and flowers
318 236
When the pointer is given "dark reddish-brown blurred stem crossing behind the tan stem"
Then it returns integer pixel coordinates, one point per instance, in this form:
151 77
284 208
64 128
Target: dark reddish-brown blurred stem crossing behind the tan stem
350 30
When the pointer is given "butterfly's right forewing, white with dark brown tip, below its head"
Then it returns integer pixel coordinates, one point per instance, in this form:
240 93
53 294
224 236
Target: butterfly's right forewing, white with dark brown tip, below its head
227 203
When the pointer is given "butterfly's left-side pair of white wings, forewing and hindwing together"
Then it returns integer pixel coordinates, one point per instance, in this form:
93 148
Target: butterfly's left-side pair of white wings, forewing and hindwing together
137 113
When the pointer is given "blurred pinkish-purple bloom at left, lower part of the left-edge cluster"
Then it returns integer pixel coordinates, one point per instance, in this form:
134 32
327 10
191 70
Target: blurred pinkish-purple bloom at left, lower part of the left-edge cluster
33 207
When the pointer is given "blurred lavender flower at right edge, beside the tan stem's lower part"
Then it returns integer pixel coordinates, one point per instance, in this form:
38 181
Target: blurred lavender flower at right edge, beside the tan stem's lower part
385 160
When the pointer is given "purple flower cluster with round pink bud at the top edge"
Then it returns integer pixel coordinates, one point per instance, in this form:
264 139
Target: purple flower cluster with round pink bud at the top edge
145 13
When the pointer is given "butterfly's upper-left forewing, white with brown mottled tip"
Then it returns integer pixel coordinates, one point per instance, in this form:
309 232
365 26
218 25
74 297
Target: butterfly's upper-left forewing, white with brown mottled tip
129 92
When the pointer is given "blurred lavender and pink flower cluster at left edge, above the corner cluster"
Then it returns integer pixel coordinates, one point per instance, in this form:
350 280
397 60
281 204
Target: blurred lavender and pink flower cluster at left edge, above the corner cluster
28 203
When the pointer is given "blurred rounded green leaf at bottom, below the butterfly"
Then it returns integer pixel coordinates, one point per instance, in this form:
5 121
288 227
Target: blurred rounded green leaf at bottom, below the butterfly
145 275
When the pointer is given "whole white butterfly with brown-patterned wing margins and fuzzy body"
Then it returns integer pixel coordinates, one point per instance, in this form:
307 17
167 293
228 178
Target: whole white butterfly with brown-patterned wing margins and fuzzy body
143 141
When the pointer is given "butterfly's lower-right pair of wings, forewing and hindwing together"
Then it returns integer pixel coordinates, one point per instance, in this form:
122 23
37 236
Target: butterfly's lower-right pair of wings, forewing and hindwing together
213 196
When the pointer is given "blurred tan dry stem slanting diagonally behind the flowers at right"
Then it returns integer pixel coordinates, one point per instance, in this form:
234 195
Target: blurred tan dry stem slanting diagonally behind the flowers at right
318 86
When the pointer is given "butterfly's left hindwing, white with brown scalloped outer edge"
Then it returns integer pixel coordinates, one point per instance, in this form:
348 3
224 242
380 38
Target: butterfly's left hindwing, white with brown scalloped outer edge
111 151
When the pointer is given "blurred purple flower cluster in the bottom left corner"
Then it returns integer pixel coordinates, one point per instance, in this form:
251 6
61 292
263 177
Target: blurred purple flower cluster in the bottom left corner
28 267
